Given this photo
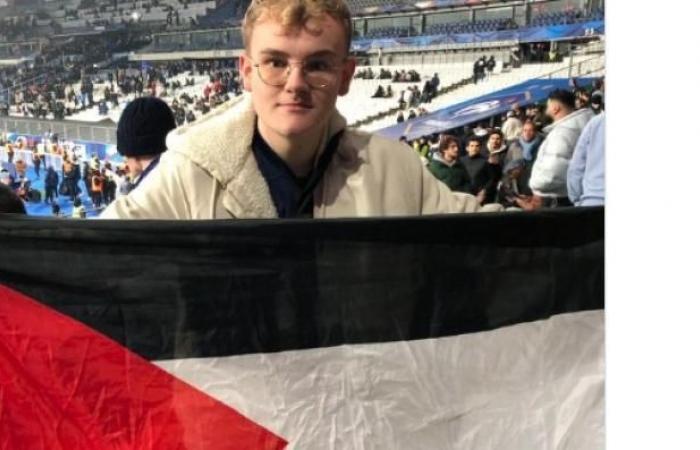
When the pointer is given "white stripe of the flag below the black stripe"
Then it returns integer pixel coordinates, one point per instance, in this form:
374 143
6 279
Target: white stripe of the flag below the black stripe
536 385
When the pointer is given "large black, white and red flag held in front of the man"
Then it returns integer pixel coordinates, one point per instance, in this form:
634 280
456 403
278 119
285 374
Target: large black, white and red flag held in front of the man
446 332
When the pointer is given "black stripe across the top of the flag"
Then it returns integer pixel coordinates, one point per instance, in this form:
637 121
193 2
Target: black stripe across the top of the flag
196 289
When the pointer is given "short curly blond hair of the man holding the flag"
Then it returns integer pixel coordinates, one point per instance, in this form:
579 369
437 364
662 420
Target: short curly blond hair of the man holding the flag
296 14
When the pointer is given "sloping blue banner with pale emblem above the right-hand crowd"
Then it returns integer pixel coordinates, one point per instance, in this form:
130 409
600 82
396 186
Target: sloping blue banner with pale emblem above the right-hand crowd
480 108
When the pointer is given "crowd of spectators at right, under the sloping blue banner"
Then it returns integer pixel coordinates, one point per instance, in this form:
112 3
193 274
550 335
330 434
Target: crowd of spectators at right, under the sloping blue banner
537 157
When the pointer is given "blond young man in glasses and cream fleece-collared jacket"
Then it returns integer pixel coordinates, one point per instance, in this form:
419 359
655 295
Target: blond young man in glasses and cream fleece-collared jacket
284 150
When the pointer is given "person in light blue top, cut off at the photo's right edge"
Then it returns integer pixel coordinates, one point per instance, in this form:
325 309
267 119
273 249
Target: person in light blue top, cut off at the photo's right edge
586 175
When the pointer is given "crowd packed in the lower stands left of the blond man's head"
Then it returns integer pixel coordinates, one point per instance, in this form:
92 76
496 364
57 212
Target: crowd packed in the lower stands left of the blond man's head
56 95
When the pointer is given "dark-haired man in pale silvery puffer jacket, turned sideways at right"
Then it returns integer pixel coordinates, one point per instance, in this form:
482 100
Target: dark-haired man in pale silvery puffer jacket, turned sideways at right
548 179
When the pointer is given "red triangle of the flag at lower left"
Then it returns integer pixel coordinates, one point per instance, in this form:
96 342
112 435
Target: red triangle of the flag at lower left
65 386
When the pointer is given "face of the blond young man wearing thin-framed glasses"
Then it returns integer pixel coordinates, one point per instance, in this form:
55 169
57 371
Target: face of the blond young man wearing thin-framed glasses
295 109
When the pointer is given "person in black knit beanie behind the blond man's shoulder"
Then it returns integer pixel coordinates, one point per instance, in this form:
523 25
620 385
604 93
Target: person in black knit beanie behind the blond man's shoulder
141 132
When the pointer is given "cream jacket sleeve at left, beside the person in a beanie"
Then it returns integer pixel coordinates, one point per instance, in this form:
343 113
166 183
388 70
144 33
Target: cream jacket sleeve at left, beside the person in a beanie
161 195
